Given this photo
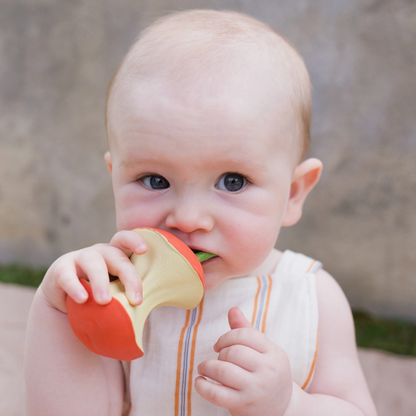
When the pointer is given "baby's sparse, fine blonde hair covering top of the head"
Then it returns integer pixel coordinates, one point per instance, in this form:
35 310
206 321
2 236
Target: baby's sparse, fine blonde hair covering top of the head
184 47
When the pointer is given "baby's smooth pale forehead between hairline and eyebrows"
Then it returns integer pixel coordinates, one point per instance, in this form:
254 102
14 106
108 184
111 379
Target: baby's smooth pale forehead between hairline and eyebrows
159 117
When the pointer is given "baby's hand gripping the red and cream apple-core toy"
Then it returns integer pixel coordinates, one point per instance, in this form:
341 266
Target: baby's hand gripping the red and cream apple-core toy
95 263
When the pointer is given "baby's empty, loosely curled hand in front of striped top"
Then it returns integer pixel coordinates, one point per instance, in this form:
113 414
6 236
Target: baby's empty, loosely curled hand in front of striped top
254 373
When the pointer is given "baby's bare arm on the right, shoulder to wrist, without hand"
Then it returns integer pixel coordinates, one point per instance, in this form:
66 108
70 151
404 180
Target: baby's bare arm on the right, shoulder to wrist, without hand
338 385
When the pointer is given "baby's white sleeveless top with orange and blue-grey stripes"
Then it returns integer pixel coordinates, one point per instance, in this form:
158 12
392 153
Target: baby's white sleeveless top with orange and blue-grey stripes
282 305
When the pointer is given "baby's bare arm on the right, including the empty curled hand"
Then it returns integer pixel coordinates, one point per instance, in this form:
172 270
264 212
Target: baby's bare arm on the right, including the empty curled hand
254 374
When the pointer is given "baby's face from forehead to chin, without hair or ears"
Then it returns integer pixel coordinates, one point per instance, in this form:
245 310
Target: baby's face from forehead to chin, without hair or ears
216 173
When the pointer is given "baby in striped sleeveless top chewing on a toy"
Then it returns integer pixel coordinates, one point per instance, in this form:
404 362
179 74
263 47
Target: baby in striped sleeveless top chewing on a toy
208 123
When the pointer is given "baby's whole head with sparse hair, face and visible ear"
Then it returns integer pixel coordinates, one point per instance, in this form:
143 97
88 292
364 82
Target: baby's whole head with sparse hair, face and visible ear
207 118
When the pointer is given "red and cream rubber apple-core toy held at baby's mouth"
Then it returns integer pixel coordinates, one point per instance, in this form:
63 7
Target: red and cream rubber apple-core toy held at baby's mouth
172 276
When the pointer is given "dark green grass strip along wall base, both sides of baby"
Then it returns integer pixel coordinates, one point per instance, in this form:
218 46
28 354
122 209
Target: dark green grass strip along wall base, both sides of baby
398 337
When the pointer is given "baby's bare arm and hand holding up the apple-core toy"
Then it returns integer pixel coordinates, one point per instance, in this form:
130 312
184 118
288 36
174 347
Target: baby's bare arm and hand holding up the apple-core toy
62 376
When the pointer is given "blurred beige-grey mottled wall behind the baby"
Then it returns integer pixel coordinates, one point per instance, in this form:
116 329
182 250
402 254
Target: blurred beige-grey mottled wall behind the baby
56 58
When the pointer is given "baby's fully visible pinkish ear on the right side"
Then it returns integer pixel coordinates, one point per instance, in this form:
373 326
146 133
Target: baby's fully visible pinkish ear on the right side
305 177
